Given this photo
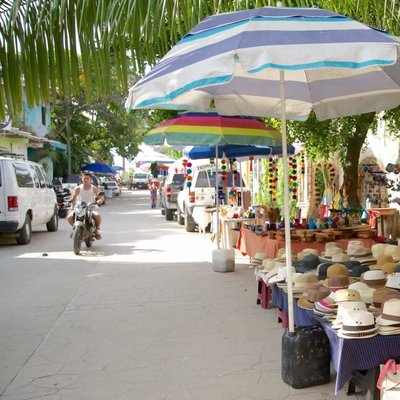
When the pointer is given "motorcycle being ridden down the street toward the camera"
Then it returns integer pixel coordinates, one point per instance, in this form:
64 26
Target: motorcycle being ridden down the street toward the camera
84 225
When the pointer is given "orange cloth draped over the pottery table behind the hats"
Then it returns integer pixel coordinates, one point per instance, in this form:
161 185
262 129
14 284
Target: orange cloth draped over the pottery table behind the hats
249 243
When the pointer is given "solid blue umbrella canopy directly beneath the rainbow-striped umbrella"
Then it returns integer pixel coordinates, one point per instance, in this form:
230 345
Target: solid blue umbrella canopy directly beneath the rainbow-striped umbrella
234 151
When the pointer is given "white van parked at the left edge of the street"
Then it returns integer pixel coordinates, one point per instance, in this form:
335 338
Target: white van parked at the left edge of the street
26 198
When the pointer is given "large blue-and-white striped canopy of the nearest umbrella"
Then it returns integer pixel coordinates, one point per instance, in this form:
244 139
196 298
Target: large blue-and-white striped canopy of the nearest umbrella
333 64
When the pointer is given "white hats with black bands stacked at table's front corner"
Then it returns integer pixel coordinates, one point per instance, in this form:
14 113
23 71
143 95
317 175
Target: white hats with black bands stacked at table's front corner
358 325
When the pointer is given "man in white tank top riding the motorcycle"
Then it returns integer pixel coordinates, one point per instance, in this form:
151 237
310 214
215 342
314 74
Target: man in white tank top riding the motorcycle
86 192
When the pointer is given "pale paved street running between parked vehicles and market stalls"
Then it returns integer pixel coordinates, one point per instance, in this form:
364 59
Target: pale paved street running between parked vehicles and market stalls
140 316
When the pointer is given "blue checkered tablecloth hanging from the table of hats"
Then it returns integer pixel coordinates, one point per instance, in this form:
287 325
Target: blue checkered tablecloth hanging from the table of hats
347 355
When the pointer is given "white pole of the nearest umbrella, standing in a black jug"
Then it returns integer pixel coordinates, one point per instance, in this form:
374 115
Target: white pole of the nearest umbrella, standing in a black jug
286 205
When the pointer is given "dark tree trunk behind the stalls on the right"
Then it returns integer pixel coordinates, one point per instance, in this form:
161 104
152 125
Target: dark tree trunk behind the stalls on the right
350 166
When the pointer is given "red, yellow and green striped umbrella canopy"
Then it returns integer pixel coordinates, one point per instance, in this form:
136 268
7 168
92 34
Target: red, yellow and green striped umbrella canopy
210 128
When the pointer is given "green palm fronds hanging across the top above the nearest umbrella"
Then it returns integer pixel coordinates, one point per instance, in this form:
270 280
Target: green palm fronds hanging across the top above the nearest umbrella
58 46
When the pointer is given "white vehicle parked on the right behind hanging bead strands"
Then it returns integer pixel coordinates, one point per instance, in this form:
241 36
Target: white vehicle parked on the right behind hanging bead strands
201 192
